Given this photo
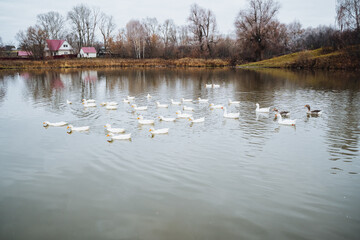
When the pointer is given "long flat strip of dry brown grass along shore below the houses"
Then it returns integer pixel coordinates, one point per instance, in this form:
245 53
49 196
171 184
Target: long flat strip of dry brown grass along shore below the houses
110 62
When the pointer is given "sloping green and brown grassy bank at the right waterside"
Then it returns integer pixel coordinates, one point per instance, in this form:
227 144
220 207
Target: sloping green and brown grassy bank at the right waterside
348 58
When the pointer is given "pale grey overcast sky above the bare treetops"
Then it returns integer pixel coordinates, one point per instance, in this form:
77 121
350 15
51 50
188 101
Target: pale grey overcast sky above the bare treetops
17 15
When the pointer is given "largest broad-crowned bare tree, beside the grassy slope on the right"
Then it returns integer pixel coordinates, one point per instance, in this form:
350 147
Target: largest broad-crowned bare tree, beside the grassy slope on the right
254 25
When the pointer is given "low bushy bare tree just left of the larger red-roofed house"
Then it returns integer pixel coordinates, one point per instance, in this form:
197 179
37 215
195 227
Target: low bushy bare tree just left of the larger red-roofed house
33 41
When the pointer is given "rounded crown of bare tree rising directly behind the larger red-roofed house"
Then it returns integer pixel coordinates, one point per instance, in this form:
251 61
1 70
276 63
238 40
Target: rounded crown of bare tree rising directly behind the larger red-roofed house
53 23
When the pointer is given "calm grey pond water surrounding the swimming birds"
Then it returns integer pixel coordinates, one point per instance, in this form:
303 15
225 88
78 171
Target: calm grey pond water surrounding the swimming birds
222 179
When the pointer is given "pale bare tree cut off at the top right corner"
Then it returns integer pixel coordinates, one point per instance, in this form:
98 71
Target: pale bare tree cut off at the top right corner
348 14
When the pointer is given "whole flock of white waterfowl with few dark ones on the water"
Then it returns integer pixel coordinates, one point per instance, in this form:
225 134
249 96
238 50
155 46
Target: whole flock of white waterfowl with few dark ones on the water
118 133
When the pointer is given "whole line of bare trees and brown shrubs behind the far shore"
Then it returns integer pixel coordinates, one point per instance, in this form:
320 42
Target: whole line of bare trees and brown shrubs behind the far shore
258 33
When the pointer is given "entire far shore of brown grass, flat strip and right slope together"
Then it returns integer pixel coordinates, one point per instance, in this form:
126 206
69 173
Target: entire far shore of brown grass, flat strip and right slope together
345 59
